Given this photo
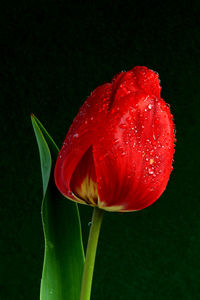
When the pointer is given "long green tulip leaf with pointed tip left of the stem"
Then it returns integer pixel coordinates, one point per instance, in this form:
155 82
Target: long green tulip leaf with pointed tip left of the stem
64 255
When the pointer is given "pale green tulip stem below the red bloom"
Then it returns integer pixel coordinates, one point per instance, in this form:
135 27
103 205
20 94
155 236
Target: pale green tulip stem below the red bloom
91 253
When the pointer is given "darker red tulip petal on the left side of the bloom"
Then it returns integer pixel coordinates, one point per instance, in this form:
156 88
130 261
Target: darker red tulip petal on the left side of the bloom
75 152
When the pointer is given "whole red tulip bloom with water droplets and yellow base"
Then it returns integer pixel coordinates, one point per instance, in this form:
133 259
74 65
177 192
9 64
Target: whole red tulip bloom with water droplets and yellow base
119 149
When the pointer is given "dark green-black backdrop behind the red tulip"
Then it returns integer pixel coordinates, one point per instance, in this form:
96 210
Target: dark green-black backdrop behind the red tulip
53 54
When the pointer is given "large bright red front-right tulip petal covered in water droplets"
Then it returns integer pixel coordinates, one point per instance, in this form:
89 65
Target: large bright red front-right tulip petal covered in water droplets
133 163
